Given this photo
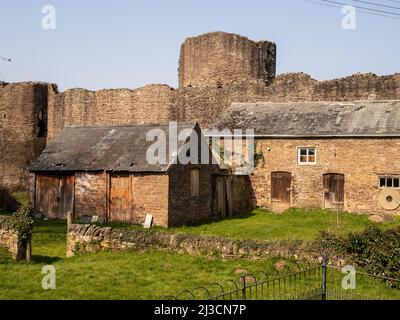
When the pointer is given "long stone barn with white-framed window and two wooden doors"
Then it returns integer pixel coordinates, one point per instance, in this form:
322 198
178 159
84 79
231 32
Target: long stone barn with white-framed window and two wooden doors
336 155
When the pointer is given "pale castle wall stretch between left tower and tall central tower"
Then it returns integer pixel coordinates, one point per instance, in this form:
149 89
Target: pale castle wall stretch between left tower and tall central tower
150 104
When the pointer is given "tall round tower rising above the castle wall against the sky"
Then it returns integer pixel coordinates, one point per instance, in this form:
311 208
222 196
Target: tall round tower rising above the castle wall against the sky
221 58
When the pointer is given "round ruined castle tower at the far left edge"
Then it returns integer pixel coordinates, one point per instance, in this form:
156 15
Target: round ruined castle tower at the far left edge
23 124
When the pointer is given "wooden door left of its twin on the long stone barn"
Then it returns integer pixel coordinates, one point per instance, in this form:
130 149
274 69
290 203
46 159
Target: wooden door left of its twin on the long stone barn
281 190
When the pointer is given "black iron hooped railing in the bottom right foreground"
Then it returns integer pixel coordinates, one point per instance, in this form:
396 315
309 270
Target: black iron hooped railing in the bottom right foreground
313 282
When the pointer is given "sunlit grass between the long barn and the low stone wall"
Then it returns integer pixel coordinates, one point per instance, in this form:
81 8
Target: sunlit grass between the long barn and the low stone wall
293 224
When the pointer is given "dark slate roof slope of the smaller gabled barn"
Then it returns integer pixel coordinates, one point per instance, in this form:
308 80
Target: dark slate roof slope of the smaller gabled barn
99 148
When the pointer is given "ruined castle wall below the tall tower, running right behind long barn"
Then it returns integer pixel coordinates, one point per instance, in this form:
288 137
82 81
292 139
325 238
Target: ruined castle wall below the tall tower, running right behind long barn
205 104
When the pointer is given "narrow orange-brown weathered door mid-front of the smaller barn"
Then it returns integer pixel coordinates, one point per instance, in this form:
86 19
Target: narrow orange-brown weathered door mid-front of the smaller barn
121 198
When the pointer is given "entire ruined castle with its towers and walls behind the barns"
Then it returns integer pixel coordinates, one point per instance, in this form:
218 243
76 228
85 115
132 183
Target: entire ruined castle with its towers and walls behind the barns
249 79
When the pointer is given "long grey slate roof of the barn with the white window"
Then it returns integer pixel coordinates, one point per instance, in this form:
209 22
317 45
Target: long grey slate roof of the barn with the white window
315 119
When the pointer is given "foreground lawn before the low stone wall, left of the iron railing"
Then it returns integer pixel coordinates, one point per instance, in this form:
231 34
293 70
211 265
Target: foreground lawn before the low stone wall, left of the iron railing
125 275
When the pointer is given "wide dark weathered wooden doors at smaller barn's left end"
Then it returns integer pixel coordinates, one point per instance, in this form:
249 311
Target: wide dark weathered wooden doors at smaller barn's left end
55 195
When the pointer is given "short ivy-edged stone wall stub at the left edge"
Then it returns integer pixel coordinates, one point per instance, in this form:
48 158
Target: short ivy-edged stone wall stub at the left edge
9 239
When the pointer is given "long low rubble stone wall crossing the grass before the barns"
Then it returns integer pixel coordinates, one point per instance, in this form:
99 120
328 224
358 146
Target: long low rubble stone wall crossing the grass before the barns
91 238
